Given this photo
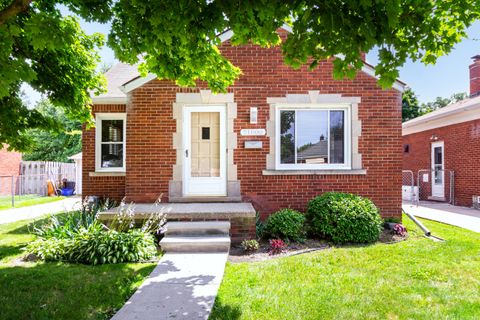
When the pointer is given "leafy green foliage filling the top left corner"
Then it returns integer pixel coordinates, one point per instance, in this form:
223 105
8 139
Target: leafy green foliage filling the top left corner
52 54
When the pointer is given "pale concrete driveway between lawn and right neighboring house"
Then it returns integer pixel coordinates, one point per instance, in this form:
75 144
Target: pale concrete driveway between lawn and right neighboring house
462 217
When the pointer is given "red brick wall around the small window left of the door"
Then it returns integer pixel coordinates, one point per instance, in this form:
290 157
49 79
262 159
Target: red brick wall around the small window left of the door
102 186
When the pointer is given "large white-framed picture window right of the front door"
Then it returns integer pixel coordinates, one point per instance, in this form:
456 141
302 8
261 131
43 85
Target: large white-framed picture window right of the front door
314 138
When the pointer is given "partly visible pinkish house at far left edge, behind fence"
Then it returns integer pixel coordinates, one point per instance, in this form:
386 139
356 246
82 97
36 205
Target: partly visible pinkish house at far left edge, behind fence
9 166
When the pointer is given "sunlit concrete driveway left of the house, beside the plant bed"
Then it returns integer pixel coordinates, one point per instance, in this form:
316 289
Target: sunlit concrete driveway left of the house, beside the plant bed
30 212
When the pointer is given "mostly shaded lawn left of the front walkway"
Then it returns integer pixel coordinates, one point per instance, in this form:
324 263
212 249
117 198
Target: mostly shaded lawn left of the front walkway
41 290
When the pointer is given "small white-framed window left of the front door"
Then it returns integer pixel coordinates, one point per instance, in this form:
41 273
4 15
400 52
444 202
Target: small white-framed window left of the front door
110 142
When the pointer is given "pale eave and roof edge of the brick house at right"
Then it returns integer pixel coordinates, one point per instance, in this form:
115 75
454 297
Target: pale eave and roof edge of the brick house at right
462 111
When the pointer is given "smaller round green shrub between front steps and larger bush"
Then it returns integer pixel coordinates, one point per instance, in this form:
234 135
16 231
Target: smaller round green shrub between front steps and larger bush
286 224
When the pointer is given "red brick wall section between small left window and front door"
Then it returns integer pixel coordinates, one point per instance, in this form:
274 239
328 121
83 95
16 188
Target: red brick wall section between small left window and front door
150 153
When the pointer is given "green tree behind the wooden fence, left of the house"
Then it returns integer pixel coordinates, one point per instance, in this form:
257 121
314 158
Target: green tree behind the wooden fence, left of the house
54 146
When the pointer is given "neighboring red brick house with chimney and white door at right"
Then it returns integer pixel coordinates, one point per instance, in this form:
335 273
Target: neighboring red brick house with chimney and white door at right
447 140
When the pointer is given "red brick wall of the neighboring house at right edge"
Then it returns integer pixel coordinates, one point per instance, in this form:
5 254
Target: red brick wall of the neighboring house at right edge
462 149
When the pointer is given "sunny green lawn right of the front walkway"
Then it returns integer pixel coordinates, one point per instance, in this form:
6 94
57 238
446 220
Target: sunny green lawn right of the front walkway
413 279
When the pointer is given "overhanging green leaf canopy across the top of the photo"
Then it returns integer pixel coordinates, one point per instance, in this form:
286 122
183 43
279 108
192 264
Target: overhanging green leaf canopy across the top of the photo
178 40
